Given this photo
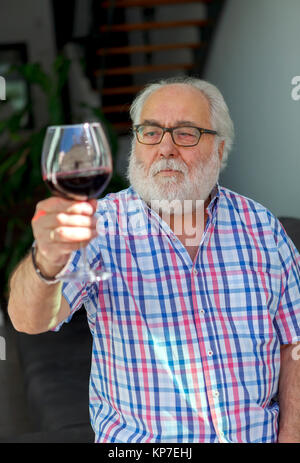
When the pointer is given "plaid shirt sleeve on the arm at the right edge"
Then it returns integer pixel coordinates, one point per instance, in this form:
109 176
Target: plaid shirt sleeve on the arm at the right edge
287 319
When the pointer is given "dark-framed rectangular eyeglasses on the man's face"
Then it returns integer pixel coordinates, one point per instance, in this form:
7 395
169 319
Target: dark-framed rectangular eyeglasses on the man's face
181 136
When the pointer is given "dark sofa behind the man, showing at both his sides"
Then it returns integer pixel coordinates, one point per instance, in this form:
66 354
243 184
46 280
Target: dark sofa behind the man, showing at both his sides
56 370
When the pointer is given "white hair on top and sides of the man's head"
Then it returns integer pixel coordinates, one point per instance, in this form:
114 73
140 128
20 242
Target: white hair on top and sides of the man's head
220 117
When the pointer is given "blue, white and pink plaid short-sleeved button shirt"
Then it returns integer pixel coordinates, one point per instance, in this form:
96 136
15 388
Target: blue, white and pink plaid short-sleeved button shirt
188 351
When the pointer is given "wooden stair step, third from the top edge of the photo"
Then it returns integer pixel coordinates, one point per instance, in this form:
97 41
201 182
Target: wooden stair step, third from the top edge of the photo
148 48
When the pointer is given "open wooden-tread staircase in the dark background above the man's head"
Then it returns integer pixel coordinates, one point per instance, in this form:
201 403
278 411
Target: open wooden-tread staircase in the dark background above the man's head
137 41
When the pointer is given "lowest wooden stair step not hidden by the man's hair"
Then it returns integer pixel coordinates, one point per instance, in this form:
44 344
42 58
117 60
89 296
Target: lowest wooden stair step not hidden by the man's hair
140 69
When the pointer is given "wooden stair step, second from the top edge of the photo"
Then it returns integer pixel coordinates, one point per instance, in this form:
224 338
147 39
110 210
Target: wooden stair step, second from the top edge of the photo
155 25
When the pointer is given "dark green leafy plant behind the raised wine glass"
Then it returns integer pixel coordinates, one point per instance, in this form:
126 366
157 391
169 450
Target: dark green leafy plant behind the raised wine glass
20 175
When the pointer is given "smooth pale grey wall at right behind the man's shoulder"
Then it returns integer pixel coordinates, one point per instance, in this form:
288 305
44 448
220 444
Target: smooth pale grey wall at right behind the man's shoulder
253 60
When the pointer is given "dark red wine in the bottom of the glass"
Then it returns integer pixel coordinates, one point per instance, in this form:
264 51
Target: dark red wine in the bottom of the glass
80 184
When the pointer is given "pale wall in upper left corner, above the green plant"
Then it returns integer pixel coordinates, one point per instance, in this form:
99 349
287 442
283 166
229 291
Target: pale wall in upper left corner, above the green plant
30 21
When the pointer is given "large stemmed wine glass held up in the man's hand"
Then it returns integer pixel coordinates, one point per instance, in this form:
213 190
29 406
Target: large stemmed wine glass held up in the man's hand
77 164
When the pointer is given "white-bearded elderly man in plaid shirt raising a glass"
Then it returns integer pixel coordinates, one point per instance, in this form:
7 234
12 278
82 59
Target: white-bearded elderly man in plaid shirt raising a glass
194 335
